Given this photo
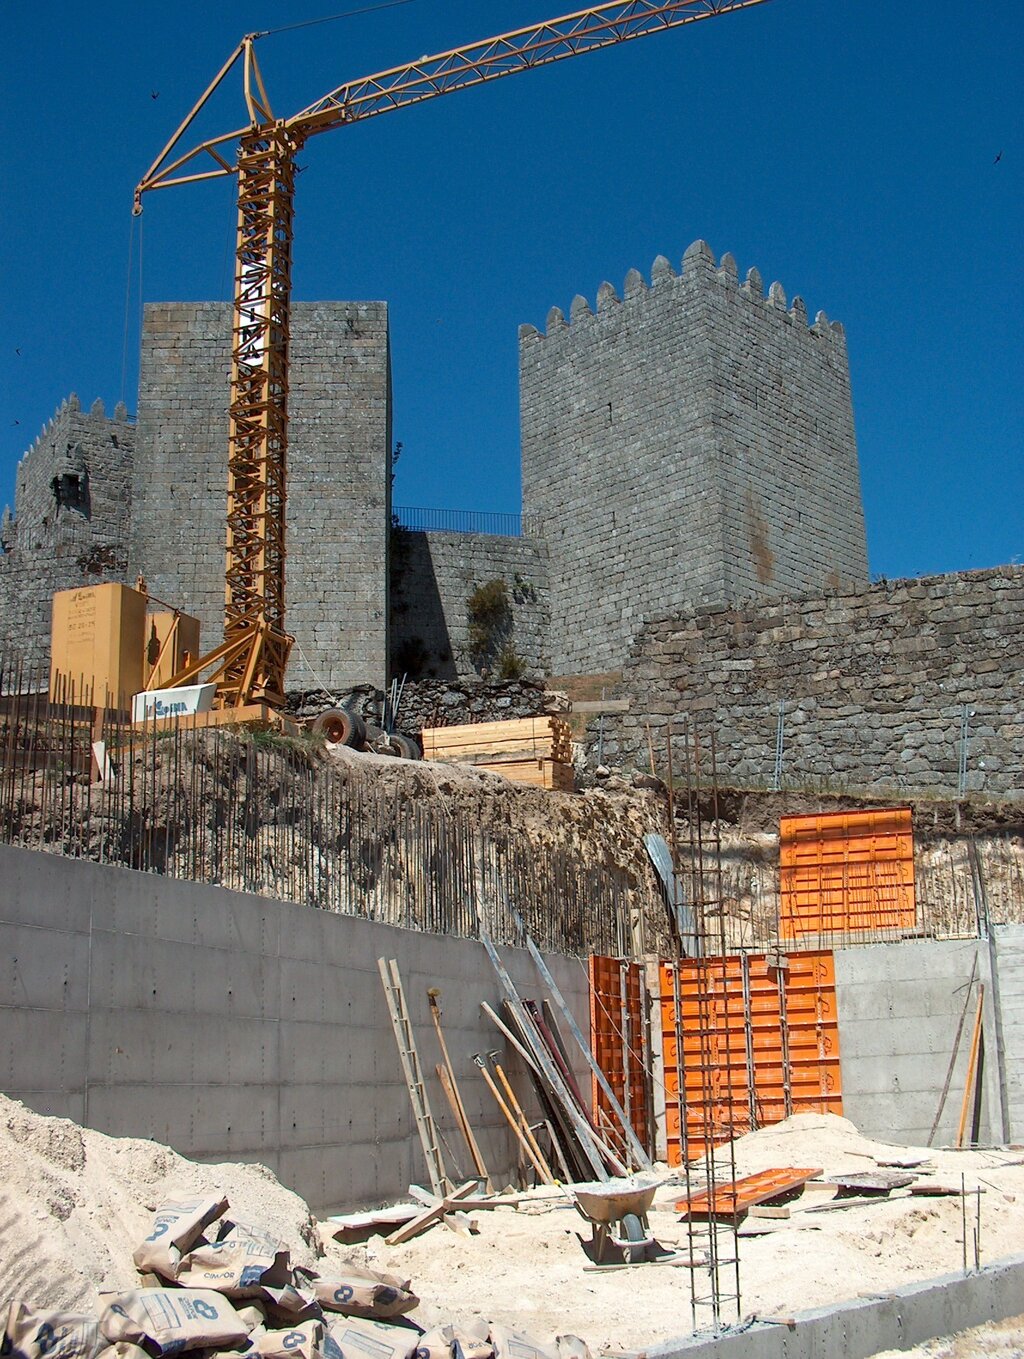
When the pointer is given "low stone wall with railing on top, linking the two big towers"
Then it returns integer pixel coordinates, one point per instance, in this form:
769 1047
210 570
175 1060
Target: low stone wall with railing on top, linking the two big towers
433 577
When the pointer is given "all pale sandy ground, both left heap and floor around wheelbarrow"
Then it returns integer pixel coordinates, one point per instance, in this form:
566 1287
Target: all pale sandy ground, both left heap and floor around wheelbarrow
75 1205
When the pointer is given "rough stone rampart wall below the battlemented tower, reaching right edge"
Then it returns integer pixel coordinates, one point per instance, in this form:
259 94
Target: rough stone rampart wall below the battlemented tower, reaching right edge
874 684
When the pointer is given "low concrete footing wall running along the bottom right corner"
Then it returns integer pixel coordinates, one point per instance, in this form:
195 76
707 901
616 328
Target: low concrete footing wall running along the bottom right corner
867 1327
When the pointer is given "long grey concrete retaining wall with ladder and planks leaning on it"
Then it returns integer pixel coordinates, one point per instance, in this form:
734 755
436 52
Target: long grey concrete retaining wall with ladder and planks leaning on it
237 1028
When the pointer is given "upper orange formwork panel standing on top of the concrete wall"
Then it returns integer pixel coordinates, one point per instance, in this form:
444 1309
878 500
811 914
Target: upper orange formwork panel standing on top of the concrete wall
848 873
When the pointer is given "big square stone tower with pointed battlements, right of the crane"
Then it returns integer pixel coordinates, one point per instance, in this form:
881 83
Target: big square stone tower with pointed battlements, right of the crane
692 442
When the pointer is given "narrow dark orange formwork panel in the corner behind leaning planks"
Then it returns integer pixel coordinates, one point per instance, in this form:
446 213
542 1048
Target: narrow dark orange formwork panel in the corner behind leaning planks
618 1044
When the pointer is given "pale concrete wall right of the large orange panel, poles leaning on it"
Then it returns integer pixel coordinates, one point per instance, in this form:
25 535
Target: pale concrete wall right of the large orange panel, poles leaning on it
900 1006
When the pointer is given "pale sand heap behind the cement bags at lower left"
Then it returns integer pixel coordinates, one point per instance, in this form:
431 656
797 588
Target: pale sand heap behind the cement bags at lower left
75 1203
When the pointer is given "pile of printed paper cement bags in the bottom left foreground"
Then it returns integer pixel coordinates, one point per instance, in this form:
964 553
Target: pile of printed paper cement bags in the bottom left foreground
222 1288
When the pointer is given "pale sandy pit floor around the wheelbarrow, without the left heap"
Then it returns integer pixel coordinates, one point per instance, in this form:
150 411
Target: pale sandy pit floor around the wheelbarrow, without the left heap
527 1267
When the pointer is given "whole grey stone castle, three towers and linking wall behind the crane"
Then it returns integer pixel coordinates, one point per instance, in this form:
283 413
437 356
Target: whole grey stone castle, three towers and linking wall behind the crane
690 444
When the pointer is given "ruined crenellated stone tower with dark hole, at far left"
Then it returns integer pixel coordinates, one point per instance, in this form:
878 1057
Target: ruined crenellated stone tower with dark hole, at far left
70 527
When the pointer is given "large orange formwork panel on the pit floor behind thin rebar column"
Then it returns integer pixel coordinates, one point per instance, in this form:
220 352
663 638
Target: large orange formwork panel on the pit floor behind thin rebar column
758 1044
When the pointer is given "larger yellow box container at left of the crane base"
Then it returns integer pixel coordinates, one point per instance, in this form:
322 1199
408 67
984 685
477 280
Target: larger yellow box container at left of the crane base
97 643
